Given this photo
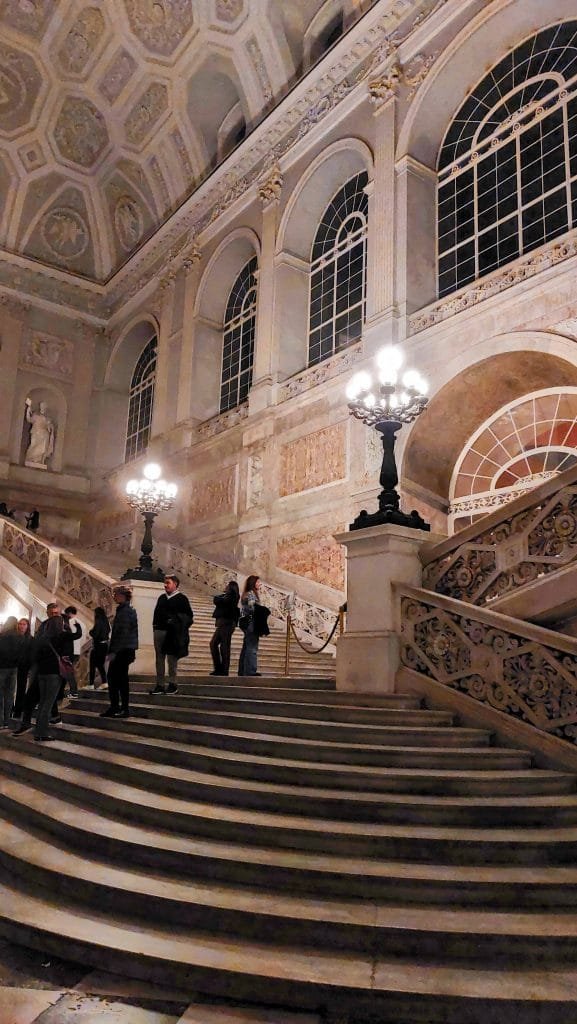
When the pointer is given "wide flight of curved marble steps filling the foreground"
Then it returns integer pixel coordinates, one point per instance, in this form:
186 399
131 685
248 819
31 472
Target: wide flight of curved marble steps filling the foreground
279 842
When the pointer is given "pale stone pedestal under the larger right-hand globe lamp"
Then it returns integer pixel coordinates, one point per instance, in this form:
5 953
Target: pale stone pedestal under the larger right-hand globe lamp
367 657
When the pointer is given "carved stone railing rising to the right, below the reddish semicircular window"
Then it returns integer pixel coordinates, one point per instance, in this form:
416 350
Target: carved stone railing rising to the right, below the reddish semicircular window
528 538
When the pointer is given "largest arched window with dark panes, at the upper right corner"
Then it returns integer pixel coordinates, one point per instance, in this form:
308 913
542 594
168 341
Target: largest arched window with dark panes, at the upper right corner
508 169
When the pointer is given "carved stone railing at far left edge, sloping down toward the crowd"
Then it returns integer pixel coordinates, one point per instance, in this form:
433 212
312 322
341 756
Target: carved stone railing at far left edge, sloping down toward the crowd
61 573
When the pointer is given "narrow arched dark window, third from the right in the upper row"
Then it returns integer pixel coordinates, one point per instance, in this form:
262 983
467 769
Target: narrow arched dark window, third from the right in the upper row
238 349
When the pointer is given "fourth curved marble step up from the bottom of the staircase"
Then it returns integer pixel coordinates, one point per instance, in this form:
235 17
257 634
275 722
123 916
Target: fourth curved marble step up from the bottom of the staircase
449 844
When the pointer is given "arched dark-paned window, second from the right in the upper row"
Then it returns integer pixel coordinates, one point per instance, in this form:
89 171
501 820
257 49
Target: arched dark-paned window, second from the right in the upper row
339 273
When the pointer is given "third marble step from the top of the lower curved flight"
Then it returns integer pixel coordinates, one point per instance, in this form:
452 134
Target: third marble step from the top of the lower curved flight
159 710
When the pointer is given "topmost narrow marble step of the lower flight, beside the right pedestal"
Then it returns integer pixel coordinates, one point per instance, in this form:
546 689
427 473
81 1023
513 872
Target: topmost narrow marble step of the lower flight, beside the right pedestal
238 692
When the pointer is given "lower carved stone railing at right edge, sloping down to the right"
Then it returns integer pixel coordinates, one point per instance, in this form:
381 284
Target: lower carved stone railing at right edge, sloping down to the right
527 672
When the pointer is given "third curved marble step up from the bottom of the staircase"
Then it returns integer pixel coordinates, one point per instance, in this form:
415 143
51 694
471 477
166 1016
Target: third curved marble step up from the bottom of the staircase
94 835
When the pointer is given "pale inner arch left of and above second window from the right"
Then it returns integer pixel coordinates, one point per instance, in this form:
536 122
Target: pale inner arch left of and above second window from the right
337 165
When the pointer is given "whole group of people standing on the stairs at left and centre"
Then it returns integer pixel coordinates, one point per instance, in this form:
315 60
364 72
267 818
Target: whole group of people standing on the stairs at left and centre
35 671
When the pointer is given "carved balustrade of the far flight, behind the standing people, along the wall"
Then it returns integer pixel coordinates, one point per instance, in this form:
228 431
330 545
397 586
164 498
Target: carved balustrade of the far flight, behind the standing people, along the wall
311 619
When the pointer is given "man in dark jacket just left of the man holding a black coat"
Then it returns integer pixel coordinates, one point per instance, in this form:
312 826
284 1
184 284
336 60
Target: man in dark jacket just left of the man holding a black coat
122 651
